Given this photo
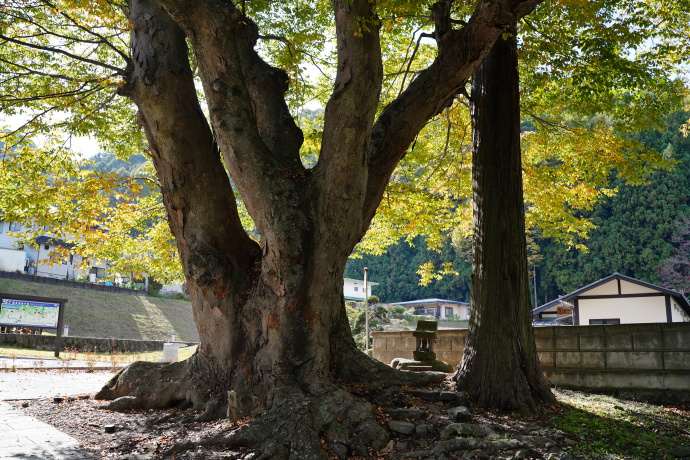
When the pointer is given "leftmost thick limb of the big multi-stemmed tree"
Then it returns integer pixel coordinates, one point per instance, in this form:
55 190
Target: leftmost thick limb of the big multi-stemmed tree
196 191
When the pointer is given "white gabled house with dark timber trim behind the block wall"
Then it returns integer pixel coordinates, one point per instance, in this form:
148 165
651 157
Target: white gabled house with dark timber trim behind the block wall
616 299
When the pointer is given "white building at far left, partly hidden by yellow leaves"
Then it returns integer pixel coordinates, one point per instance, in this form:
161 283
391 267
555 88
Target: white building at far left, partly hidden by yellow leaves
33 259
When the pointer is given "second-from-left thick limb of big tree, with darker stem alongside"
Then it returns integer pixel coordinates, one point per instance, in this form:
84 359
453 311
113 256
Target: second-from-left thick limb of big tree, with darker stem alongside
256 133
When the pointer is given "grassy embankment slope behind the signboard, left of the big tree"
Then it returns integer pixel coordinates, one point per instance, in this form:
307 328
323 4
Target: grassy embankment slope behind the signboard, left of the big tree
104 314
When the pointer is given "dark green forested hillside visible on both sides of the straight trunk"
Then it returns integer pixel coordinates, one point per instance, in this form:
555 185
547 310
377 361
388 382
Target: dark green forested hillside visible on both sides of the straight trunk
633 237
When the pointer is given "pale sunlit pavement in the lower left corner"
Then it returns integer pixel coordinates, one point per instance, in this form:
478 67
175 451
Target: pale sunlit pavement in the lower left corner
26 438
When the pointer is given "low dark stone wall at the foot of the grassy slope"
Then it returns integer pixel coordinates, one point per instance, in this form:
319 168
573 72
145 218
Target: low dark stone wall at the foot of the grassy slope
83 344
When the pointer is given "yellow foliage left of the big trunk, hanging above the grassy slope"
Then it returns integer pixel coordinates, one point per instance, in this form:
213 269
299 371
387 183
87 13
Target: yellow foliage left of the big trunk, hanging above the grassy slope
106 216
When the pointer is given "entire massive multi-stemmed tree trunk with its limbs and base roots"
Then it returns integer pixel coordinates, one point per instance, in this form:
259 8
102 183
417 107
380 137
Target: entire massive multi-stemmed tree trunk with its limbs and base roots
271 315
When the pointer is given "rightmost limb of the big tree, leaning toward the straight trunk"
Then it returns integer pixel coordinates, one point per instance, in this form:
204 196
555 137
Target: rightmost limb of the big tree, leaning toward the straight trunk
459 53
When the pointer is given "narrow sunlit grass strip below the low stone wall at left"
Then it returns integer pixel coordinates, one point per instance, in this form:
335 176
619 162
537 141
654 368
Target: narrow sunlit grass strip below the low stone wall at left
118 357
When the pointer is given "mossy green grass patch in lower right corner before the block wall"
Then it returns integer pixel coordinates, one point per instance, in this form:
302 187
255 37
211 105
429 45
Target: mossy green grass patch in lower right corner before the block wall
612 428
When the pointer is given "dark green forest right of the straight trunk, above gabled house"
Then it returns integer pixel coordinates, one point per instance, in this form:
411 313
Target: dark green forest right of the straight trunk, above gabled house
633 227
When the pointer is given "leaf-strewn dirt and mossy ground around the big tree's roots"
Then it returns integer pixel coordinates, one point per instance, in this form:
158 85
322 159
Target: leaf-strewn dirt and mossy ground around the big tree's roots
581 428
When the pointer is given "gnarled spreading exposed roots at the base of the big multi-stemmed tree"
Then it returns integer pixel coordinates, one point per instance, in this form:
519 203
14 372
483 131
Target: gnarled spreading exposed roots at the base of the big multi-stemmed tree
293 425
